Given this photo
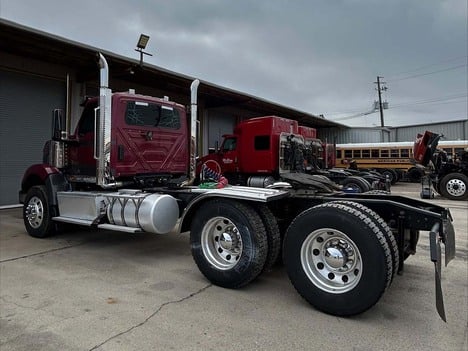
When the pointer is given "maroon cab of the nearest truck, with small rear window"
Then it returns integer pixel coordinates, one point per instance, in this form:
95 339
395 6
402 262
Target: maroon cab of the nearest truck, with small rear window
147 141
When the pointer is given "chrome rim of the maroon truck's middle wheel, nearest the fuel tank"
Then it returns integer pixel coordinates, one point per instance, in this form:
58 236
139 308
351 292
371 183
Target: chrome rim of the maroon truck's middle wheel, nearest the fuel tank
221 243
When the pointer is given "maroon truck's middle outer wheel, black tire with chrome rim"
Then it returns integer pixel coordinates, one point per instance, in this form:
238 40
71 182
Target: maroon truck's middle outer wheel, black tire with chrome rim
240 256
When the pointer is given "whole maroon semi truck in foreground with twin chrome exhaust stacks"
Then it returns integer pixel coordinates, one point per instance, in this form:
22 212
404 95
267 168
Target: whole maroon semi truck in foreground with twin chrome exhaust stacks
130 166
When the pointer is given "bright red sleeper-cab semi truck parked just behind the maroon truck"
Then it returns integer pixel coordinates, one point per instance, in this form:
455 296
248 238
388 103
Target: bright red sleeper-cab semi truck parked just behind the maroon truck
267 149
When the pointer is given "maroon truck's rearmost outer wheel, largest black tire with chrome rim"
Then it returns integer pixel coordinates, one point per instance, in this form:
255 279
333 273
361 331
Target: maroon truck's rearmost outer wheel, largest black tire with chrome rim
337 258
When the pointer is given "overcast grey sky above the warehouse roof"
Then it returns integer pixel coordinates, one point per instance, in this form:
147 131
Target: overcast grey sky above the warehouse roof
317 56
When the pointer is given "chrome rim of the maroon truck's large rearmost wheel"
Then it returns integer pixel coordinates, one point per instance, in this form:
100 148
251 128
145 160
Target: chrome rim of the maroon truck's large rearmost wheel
331 260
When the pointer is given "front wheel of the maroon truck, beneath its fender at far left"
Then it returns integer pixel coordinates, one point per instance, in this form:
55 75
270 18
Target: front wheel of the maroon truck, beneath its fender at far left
37 213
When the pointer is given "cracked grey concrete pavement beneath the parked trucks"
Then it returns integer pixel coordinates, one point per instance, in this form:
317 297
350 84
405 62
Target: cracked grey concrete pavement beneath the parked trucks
85 290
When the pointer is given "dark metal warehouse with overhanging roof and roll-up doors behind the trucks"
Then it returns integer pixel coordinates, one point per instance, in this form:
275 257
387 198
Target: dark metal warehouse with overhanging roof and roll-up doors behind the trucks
37 70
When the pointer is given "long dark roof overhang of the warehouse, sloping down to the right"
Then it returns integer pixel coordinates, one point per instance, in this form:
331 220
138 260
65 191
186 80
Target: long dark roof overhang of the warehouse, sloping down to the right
19 40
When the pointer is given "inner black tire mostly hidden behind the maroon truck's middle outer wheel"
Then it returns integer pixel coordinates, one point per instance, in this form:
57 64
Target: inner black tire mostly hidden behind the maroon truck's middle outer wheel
273 236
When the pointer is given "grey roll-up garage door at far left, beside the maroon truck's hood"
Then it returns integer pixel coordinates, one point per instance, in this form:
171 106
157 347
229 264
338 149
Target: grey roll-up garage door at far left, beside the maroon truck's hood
26 105
